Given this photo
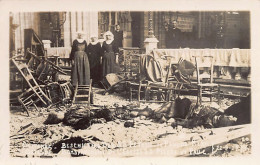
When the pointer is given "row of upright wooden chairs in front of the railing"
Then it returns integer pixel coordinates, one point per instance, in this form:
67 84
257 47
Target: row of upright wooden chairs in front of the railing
174 80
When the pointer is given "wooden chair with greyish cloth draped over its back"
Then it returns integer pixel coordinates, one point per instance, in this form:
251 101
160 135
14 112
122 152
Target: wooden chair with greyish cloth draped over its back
152 81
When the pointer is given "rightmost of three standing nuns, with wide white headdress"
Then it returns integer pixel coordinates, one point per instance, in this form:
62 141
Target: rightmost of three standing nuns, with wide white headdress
109 59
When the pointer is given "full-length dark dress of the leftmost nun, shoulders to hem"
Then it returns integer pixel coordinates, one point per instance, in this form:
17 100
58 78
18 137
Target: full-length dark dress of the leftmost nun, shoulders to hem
80 71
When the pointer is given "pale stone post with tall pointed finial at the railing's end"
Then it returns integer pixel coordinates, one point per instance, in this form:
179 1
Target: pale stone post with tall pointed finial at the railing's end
150 43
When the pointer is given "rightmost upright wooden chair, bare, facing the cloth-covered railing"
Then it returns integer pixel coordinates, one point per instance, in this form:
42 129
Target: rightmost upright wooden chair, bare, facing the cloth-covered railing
205 83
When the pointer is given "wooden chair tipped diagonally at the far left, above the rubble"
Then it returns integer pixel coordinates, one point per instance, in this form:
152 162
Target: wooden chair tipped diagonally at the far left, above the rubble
35 93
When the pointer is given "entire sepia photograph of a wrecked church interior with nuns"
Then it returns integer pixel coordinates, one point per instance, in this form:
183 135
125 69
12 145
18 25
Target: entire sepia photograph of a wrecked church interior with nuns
114 83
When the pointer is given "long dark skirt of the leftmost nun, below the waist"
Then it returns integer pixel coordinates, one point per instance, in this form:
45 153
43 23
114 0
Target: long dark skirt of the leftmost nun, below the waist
80 73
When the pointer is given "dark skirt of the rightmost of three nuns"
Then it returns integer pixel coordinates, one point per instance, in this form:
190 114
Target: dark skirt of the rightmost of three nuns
108 63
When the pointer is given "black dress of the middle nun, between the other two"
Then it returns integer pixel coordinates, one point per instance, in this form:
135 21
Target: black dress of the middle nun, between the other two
94 56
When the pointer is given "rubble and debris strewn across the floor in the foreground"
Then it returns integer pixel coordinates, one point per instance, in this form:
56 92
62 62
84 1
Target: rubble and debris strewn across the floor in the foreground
109 129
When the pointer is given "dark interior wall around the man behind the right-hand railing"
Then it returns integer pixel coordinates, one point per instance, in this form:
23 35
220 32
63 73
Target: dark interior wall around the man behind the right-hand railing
206 31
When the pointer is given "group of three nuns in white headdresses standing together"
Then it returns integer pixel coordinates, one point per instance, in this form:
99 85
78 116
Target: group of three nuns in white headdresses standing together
94 60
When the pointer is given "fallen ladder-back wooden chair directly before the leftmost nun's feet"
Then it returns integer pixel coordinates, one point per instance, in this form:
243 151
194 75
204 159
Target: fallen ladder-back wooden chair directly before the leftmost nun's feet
83 94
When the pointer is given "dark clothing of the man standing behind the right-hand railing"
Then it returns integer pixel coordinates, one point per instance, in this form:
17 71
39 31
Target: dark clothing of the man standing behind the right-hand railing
173 38
